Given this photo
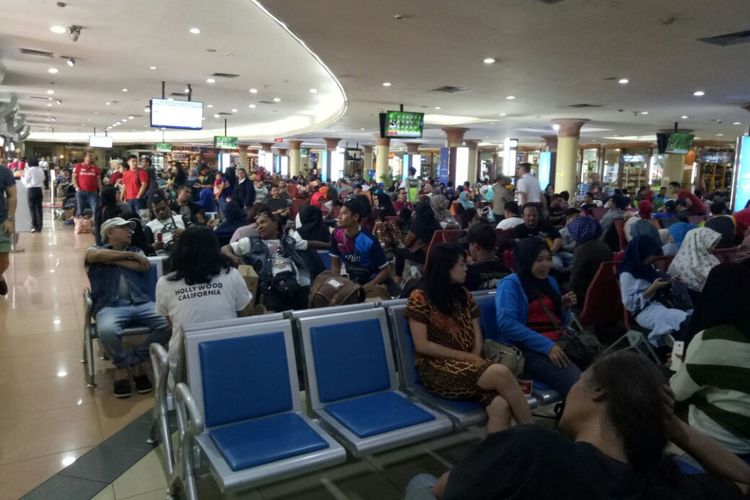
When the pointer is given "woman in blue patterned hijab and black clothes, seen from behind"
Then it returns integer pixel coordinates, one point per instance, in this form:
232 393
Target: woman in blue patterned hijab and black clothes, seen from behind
588 255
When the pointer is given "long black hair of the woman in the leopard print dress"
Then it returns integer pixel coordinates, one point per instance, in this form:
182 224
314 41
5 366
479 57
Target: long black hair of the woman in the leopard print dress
437 284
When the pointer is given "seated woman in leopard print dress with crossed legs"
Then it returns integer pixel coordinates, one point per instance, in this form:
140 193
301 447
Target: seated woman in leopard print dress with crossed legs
444 323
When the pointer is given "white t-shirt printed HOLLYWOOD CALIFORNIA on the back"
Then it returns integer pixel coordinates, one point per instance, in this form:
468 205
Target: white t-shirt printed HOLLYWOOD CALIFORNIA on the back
188 304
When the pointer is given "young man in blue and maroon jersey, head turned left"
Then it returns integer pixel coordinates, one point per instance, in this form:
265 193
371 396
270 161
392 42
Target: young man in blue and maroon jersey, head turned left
359 251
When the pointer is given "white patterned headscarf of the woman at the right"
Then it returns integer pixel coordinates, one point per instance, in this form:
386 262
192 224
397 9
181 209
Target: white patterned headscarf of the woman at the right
694 260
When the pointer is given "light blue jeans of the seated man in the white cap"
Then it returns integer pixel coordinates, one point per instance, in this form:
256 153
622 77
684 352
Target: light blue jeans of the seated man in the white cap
110 322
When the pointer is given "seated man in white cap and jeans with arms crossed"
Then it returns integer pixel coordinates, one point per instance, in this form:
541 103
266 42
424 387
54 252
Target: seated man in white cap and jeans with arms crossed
121 295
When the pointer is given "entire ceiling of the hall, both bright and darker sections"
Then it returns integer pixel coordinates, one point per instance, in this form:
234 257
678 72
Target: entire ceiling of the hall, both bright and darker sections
549 56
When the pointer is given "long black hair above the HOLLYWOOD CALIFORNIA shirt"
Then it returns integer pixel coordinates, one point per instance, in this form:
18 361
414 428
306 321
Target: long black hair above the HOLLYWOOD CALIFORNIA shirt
196 257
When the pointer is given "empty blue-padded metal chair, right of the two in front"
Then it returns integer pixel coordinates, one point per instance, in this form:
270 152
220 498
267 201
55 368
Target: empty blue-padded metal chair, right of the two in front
353 388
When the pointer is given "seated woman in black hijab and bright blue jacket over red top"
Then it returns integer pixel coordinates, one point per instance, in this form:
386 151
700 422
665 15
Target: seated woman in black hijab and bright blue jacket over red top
530 312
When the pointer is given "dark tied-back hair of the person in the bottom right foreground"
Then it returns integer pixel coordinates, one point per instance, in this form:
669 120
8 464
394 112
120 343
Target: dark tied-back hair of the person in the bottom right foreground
632 389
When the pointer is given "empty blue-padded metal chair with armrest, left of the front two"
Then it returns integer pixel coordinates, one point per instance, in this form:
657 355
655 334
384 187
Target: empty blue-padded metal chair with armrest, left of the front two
243 409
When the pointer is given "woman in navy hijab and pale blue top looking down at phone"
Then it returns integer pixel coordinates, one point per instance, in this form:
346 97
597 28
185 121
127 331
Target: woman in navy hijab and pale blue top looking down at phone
639 284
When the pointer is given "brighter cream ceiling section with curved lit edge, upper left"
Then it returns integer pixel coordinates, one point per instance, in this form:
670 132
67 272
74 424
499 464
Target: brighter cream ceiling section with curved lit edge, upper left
121 40
